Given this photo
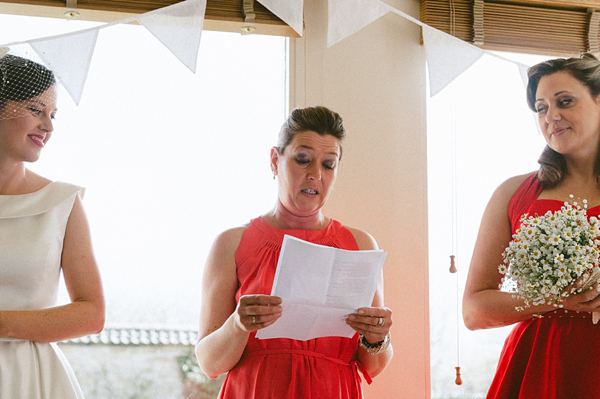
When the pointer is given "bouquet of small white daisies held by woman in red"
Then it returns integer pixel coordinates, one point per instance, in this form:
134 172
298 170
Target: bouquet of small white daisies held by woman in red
552 256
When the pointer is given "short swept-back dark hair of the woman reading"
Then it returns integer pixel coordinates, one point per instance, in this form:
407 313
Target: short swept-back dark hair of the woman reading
317 119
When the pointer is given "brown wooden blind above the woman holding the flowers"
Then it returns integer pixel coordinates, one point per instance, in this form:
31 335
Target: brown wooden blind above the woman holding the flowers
538 27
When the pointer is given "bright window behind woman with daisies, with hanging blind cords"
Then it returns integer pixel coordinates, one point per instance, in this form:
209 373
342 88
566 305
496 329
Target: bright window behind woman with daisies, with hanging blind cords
483 115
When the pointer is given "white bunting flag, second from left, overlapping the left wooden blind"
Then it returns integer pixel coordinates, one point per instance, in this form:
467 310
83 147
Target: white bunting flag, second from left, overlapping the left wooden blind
179 28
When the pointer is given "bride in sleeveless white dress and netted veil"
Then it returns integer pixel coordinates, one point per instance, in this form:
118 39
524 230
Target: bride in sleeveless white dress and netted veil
43 230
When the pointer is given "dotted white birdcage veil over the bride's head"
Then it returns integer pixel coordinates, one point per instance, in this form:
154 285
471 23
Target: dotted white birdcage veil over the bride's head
22 81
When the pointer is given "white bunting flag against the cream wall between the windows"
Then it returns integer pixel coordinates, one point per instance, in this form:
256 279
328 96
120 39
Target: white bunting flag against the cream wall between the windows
349 16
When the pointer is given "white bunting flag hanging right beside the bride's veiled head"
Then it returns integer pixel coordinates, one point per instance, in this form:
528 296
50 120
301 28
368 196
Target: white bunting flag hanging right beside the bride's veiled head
69 57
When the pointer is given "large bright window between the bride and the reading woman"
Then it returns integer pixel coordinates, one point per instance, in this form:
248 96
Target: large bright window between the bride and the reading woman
169 159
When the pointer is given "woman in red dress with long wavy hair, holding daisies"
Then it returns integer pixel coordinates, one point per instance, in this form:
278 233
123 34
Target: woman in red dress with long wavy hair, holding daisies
552 352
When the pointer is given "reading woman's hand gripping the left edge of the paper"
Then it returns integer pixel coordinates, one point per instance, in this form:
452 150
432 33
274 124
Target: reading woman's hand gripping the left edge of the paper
254 312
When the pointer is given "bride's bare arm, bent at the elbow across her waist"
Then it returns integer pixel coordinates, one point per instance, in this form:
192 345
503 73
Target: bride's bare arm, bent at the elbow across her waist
85 314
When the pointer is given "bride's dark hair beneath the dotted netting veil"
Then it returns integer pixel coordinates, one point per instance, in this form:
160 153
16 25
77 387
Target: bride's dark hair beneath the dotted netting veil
22 79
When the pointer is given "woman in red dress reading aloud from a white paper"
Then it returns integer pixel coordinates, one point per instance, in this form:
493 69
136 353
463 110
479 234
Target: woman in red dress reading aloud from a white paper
240 270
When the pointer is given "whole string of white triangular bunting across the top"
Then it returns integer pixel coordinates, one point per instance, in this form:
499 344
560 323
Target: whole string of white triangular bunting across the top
179 28
